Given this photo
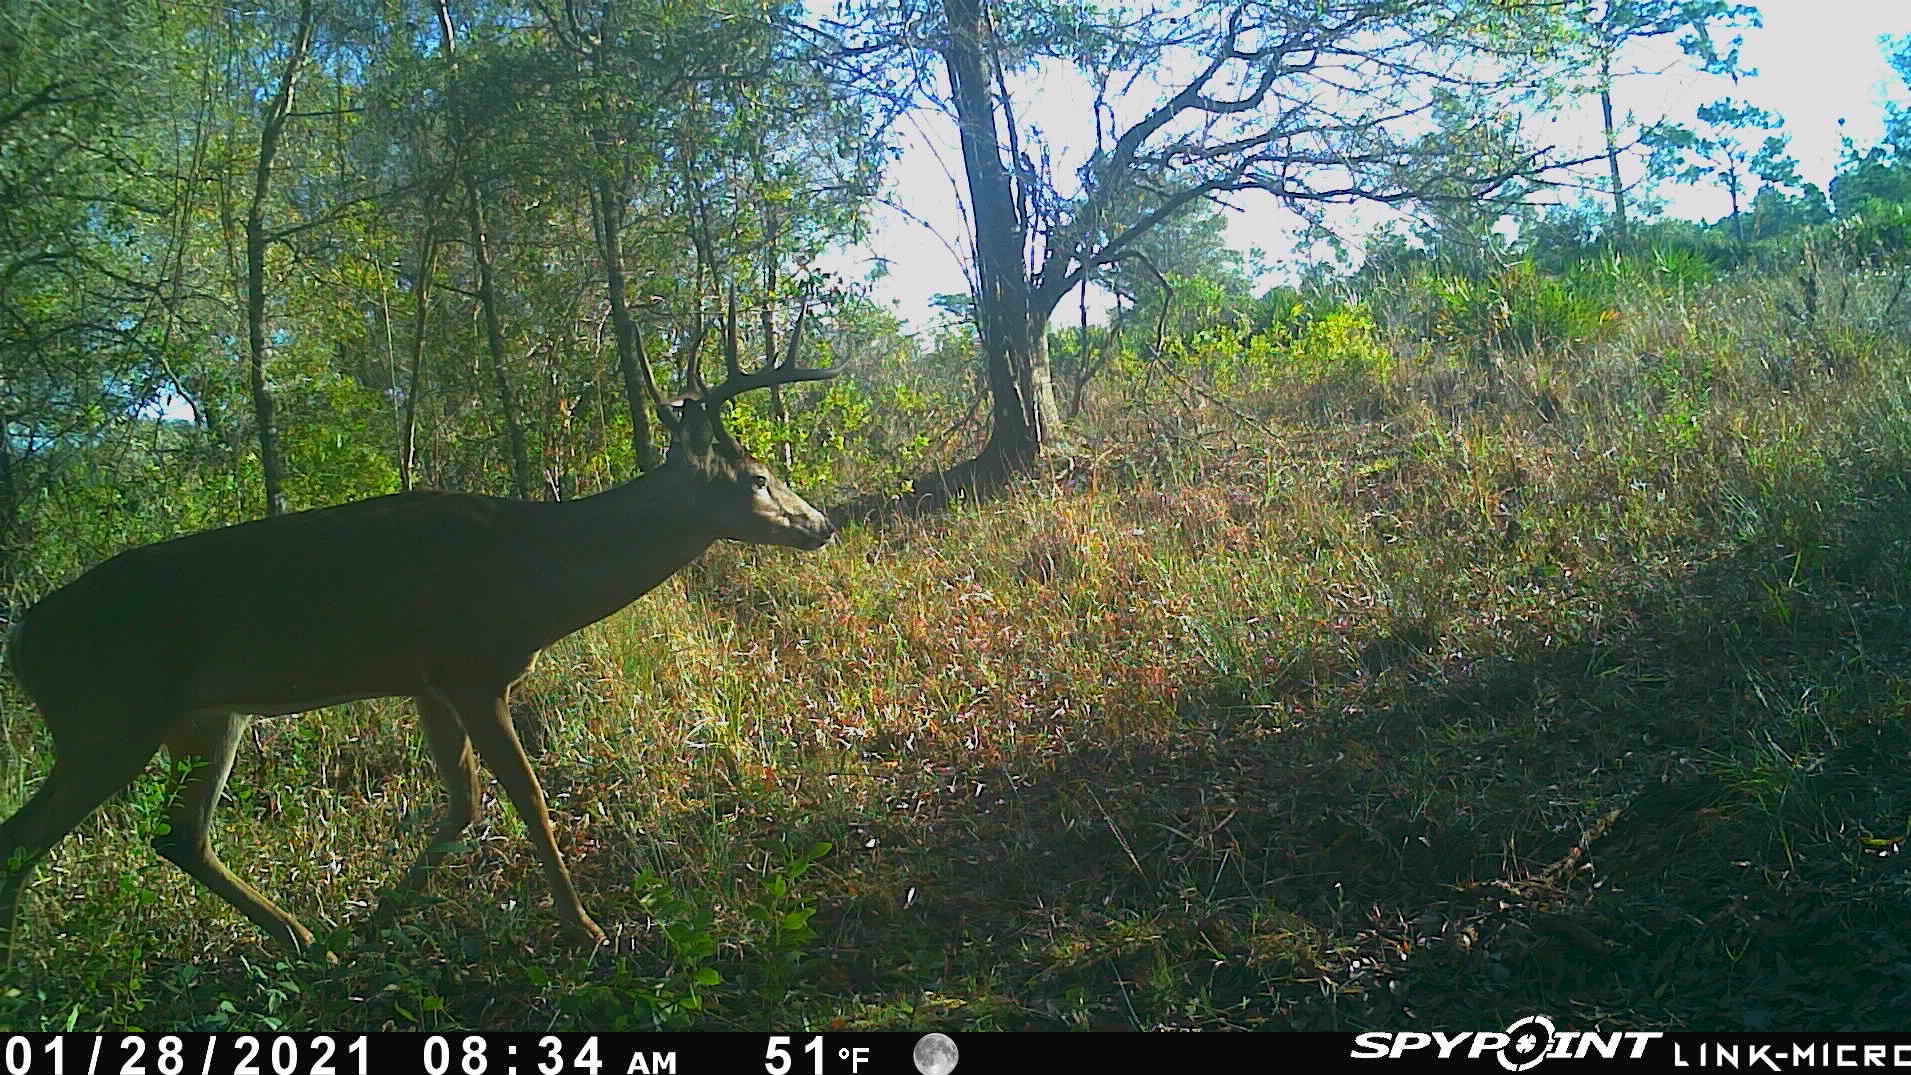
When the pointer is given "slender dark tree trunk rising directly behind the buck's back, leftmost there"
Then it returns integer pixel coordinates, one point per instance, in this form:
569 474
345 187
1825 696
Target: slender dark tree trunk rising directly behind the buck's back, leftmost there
265 410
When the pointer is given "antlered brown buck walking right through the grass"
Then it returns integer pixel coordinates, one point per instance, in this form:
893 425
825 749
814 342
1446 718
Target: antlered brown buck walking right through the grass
446 599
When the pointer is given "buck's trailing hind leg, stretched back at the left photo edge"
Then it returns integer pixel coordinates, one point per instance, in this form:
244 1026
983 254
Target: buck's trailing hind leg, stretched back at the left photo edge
83 778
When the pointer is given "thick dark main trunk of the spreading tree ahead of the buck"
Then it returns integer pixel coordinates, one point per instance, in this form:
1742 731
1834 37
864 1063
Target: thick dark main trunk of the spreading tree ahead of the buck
1012 329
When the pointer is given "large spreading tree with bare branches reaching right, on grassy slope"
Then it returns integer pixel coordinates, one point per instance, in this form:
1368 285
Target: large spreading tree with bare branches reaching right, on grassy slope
1312 104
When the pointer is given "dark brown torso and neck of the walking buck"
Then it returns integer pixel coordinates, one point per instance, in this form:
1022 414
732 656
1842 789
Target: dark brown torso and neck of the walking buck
458 589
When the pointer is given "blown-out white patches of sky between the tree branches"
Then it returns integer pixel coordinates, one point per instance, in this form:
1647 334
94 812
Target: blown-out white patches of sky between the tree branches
1818 62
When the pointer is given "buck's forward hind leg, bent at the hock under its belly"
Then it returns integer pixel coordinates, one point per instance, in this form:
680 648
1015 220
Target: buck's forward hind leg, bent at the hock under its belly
204 748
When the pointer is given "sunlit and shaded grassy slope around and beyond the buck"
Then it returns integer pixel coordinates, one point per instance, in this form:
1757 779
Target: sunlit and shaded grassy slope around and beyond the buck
1576 692
